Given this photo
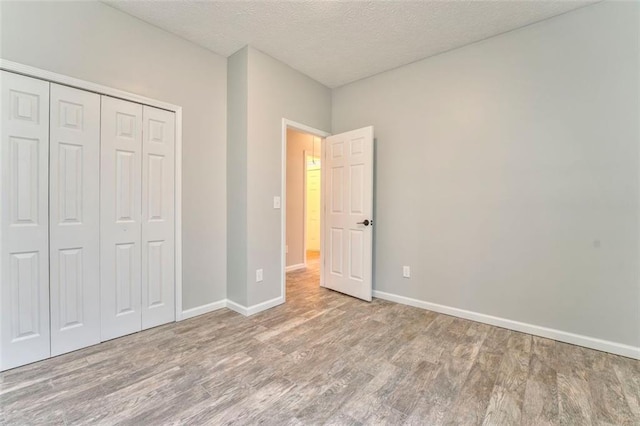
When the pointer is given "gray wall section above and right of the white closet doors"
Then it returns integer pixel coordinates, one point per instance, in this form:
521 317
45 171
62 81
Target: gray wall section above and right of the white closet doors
95 42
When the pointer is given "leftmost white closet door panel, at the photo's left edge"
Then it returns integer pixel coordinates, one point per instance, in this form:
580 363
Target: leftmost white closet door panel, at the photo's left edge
24 230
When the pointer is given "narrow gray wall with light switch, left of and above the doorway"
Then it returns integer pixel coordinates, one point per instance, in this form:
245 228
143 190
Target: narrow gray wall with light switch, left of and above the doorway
276 91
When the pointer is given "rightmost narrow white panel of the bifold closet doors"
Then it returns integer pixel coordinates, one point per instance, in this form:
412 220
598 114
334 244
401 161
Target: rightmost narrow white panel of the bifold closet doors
158 298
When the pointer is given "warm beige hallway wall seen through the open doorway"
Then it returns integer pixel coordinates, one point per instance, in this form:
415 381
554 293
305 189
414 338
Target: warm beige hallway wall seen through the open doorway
297 143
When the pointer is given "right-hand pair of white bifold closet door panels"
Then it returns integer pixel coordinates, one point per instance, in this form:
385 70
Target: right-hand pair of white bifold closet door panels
137 219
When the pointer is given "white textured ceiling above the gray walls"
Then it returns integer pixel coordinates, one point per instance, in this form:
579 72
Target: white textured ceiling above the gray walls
336 42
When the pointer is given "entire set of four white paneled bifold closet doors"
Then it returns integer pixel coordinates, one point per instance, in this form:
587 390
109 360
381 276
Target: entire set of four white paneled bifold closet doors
87 218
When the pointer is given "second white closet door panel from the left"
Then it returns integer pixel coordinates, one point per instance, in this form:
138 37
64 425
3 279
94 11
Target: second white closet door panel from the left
74 188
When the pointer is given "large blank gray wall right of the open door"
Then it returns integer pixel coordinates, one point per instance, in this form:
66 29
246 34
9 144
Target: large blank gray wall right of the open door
507 173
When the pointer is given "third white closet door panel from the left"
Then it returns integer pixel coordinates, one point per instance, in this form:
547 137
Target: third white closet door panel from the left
120 217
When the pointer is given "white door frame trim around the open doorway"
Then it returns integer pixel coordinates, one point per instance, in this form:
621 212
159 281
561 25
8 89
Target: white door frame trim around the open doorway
290 124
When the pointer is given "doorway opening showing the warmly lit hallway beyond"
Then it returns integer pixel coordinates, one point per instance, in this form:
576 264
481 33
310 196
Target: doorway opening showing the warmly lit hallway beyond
302 207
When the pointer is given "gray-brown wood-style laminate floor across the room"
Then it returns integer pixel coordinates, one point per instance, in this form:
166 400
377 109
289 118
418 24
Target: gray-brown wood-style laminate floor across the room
325 358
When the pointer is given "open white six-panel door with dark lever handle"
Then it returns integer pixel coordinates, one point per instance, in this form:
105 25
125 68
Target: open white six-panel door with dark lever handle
348 195
